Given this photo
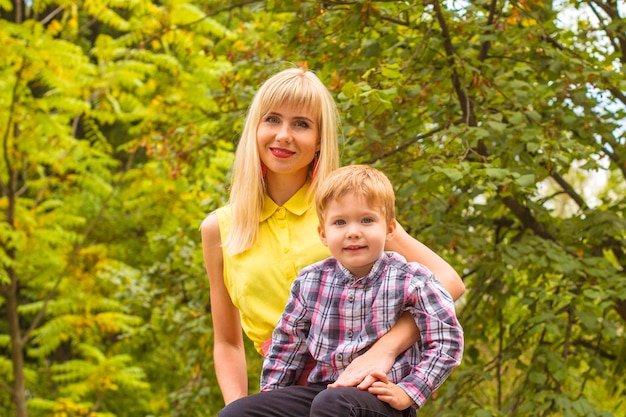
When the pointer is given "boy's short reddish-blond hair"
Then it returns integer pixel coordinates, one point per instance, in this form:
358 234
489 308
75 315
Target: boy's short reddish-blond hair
361 180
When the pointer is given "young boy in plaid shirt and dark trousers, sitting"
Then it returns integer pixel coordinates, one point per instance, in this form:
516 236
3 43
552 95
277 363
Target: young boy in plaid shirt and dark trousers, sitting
340 306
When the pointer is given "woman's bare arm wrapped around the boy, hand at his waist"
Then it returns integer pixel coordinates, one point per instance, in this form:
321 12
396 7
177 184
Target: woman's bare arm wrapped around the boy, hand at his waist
381 356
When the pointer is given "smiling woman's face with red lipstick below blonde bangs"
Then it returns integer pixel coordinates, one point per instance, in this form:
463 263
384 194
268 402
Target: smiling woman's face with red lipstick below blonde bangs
288 139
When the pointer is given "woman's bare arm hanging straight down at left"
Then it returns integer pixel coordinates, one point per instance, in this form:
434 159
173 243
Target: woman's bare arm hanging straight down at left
228 349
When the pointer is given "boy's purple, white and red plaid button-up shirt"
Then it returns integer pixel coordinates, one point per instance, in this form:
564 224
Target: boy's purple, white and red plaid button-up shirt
334 317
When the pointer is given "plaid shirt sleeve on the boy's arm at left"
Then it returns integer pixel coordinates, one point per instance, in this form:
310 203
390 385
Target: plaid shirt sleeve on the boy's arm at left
288 352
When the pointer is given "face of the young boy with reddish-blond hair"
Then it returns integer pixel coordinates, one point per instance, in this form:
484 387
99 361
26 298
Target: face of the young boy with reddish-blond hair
355 233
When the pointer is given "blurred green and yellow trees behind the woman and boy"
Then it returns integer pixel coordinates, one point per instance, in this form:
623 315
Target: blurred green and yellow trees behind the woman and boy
501 123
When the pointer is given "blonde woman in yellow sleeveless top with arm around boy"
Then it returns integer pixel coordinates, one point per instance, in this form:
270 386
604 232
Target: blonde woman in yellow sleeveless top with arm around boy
255 246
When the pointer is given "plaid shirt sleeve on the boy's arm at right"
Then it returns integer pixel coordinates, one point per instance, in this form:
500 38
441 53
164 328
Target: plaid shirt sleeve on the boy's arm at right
441 342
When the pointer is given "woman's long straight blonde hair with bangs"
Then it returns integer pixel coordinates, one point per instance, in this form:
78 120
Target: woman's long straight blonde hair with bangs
293 87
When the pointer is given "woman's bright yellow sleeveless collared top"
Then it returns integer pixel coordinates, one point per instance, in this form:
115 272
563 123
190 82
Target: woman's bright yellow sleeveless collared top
259 279
